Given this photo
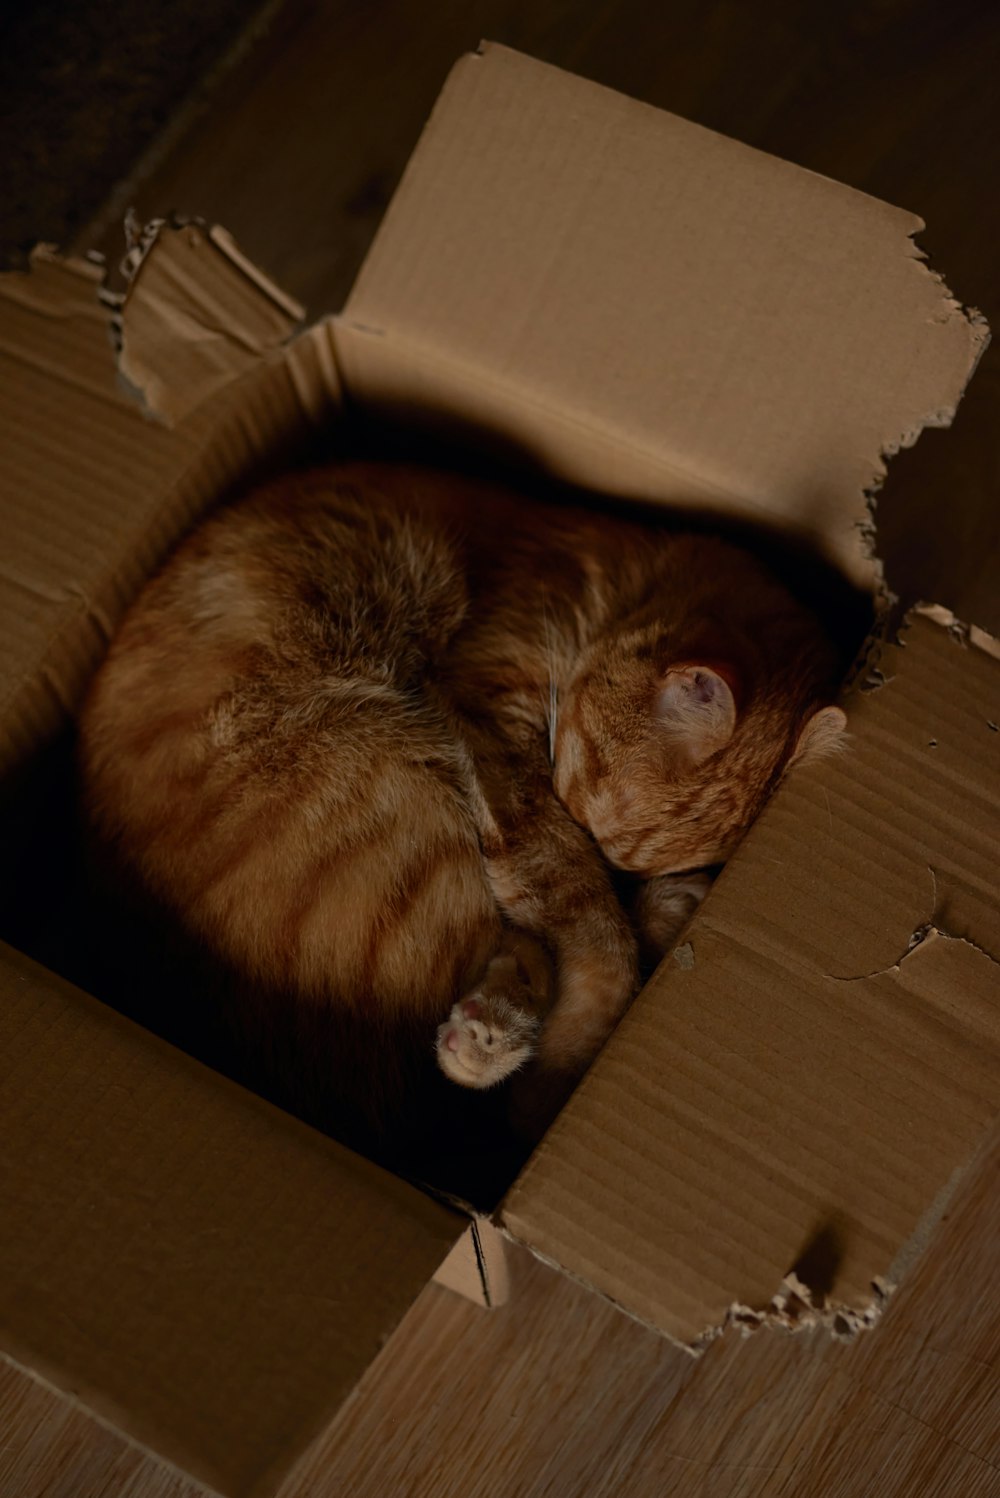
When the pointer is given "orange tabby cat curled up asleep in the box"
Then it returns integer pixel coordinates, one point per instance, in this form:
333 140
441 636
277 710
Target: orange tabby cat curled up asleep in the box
376 736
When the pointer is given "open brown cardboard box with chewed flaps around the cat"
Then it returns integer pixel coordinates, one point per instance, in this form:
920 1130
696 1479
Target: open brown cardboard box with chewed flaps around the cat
628 302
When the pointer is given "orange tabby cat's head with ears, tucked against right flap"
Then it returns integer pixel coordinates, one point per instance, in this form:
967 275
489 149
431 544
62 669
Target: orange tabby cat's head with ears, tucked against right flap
668 765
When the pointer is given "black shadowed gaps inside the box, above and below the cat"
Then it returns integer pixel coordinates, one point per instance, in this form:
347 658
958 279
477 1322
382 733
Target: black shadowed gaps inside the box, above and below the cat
68 912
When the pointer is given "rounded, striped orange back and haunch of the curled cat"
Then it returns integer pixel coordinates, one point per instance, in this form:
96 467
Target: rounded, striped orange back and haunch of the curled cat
260 753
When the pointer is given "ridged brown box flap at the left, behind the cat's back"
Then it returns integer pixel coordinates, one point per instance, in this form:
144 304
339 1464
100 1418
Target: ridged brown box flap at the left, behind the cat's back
94 492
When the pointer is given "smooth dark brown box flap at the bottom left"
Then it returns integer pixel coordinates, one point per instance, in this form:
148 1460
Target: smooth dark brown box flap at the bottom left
188 1262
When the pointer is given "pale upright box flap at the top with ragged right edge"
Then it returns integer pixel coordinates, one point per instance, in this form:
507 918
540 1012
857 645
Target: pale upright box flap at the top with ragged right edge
697 321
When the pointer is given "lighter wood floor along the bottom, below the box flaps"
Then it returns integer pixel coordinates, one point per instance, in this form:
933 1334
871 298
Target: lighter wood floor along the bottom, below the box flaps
559 1394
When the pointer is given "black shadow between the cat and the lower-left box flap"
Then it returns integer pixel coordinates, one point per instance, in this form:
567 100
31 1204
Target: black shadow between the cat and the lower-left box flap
67 912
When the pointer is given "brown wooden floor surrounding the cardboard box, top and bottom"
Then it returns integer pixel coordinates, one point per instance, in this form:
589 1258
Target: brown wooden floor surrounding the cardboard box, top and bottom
559 1394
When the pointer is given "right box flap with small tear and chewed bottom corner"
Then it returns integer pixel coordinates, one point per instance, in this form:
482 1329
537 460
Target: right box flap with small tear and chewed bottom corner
790 1103
